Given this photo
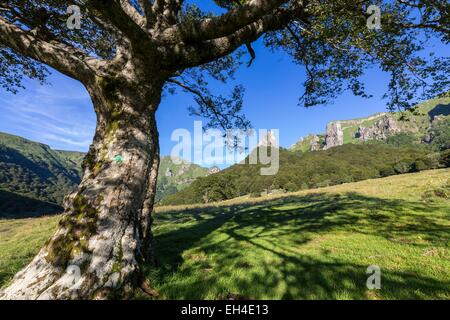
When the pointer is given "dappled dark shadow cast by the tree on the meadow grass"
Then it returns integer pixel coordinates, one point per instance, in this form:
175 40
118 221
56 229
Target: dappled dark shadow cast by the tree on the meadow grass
251 249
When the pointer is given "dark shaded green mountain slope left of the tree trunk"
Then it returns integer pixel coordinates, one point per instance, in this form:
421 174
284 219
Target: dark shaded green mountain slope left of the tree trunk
37 175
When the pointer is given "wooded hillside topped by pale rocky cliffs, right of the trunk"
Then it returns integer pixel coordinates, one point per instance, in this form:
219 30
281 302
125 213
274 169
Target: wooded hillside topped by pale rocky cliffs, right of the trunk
351 150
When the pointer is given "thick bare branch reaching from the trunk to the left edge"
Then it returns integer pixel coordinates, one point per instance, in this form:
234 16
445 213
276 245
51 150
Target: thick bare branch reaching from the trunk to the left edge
62 57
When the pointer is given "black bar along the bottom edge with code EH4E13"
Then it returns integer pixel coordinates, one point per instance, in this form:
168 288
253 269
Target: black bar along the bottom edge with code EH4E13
257 310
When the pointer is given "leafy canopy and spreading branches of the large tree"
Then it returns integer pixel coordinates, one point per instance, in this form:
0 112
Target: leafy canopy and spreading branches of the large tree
331 39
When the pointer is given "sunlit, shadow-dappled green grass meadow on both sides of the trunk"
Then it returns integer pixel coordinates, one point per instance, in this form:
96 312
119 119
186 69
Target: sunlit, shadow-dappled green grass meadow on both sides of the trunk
314 244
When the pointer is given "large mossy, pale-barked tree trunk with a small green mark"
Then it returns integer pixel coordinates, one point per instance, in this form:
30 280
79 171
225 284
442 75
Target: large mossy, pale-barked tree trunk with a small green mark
105 232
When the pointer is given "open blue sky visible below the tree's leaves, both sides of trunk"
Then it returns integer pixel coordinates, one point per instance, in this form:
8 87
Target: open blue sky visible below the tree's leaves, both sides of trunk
61 114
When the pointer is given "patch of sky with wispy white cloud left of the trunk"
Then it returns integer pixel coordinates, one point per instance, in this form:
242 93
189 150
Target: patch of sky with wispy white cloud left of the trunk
61 115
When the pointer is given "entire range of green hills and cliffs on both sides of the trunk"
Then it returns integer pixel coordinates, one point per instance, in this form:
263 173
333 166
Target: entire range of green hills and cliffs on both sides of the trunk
34 178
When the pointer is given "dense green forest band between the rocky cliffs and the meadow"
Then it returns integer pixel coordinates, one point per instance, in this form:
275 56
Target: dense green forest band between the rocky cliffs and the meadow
343 164
